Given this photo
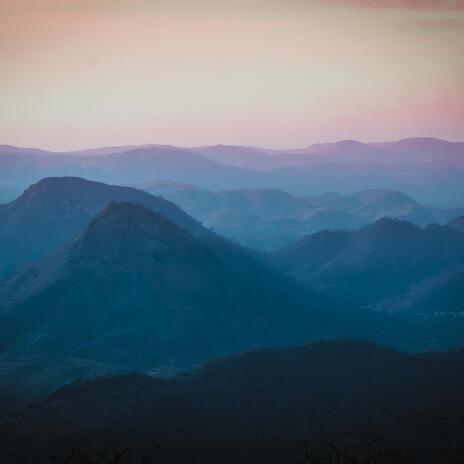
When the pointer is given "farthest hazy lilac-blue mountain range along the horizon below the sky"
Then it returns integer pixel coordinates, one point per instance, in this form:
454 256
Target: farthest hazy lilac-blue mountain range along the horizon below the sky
430 170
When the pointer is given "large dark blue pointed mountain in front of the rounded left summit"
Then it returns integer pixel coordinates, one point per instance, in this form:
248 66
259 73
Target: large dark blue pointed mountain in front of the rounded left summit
135 291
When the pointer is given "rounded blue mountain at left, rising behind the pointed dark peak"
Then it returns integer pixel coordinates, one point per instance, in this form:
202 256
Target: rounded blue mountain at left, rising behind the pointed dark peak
52 211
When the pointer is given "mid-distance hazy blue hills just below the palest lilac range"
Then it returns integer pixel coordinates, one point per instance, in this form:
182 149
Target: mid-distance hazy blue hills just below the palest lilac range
269 219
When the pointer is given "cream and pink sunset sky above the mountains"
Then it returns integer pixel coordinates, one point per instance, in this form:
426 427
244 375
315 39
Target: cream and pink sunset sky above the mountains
272 73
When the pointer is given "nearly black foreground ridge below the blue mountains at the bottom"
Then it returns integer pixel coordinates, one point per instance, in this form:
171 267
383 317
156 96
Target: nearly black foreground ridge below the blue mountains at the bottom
264 406
